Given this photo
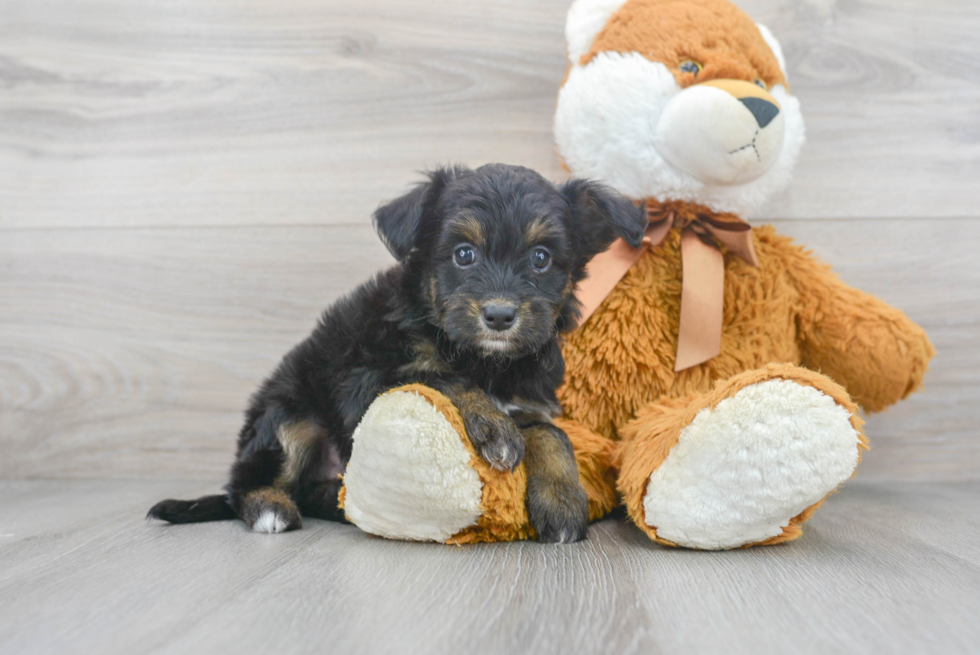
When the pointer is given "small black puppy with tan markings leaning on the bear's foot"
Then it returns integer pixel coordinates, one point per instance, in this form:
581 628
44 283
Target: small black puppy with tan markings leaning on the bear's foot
488 261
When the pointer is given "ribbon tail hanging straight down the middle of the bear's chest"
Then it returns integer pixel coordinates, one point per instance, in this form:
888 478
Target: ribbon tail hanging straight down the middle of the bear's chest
702 302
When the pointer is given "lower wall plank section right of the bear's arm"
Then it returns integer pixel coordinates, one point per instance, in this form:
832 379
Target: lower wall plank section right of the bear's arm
928 269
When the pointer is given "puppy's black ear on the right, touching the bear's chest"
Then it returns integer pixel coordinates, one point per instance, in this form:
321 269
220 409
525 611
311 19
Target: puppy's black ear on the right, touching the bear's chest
599 215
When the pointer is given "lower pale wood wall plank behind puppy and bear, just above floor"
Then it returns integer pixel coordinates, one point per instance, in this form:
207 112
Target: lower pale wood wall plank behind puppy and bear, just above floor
131 352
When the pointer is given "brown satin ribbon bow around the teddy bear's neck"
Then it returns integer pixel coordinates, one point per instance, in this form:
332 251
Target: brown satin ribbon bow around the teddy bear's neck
703 287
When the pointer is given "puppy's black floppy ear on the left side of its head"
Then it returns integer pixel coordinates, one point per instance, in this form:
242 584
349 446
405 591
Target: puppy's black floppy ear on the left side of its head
400 221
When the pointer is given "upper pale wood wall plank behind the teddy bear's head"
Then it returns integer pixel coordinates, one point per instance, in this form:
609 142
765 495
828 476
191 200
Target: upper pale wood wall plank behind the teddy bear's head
133 112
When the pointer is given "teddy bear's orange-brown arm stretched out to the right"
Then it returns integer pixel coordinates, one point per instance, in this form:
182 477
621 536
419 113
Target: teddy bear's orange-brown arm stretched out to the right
873 349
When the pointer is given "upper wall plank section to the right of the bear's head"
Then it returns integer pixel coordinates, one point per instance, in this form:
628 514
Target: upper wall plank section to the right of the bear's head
890 92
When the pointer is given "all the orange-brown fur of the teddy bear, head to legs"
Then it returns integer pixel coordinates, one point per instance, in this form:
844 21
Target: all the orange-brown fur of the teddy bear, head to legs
788 318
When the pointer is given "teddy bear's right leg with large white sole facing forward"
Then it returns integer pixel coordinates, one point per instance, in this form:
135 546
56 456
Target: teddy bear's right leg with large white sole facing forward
744 464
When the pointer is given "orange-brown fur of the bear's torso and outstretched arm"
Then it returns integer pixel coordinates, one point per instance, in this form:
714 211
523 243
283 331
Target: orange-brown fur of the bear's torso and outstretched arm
789 309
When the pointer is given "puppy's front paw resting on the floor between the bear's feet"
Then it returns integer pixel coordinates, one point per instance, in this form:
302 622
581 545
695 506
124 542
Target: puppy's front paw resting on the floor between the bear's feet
558 511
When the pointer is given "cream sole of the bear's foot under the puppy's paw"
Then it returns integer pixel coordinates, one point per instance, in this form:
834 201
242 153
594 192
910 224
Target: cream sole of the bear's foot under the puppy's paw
409 475
